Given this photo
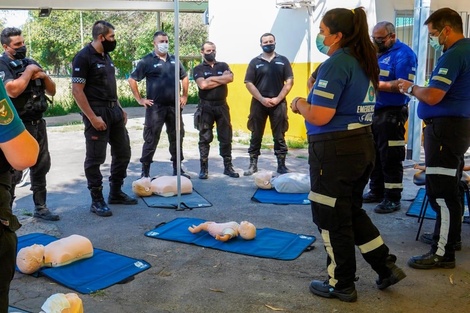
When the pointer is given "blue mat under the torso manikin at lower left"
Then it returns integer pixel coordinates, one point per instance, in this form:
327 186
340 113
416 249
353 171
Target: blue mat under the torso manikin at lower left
86 276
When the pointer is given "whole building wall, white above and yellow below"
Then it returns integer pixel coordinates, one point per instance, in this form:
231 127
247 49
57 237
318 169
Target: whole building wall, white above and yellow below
235 26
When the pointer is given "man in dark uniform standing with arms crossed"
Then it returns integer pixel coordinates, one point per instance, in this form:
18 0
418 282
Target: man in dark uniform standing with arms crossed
212 78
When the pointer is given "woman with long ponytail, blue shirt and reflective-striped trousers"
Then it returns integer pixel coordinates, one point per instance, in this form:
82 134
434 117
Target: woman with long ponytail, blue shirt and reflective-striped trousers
338 117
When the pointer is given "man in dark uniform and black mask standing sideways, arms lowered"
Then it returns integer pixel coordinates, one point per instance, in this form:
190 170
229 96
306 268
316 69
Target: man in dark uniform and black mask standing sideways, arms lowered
94 90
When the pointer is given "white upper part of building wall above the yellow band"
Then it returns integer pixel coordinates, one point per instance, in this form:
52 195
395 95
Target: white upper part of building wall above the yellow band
236 26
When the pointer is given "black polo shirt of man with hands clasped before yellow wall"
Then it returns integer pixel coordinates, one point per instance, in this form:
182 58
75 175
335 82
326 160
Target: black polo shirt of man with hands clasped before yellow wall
269 77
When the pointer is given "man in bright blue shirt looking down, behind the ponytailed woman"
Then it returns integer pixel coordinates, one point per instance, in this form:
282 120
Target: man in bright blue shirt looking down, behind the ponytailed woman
396 60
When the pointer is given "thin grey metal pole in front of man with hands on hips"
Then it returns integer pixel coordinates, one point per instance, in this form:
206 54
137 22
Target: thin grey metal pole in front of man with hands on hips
177 105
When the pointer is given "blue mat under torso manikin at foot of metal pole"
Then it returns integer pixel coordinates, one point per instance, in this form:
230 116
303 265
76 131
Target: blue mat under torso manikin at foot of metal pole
188 201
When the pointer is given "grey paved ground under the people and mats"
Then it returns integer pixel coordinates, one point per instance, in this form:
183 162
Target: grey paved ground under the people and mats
186 278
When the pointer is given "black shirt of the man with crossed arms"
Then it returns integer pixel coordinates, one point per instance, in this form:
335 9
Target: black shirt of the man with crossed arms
205 70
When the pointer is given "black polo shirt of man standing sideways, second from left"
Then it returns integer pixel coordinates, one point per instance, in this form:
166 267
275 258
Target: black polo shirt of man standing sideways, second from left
97 72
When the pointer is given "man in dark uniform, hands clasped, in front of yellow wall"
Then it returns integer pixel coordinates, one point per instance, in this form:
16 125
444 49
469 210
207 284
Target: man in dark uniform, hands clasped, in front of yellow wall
269 79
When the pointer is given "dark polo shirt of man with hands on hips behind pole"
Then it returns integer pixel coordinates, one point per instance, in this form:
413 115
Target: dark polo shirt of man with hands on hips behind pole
160 77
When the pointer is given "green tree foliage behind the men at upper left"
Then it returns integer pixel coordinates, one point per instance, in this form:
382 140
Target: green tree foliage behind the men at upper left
53 41
